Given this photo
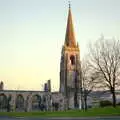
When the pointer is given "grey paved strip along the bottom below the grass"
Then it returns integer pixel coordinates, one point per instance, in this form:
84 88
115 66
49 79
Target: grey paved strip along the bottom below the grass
81 118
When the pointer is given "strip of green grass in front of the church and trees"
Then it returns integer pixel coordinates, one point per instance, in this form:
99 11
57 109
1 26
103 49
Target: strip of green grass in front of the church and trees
108 111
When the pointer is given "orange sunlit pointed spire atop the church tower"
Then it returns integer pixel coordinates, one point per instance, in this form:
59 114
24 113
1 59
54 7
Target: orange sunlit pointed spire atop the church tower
70 37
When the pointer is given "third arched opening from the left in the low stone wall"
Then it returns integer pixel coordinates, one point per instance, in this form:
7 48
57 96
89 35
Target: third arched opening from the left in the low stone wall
36 102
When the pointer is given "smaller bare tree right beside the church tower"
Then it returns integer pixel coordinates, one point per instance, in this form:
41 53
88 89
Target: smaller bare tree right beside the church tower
88 82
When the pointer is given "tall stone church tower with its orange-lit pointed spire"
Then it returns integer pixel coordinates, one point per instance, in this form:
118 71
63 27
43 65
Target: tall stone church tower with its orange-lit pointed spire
70 66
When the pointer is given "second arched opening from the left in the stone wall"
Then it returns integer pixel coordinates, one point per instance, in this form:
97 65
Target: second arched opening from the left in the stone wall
19 103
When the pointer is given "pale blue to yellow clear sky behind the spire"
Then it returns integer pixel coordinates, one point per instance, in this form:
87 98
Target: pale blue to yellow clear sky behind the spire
32 33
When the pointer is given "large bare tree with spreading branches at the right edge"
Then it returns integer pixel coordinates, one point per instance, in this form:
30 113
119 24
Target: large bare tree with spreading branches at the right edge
105 64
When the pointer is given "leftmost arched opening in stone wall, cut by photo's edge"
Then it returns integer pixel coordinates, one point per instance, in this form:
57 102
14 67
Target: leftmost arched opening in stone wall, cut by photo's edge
3 102
